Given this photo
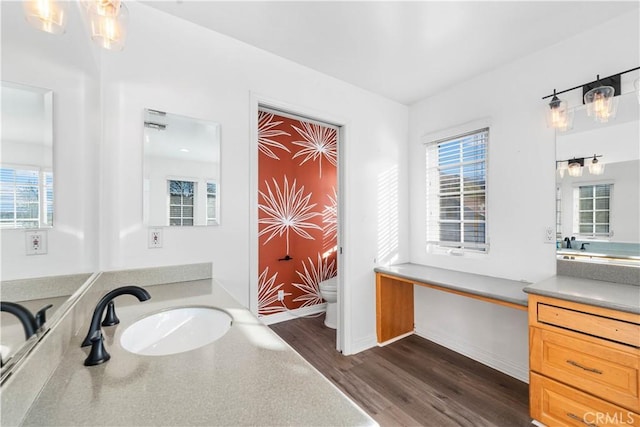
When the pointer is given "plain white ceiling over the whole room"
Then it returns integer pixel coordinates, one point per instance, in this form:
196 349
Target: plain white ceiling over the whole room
404 51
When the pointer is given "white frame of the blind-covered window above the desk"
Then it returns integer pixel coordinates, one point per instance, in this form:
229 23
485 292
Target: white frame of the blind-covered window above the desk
438 246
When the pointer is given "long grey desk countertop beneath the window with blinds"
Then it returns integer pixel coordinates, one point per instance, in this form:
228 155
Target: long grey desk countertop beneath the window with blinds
476 284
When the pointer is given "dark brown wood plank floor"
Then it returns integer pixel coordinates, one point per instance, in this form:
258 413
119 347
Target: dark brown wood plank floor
413 382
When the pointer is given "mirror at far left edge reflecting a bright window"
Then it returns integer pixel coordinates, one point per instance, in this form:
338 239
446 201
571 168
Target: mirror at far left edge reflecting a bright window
26 168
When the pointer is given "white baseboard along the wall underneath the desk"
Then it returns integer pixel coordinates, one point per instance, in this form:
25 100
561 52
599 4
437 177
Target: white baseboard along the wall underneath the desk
476 353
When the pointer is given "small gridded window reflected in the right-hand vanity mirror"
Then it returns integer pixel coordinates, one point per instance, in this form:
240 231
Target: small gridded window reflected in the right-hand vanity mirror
592 210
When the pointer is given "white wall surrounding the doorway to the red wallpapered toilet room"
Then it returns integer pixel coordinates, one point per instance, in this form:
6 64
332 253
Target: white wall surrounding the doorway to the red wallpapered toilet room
181 68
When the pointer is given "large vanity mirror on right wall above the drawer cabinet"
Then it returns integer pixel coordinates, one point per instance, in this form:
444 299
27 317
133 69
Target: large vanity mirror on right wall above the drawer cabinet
598 206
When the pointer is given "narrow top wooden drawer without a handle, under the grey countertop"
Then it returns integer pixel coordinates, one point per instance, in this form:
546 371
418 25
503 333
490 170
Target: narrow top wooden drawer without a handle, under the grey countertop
599 326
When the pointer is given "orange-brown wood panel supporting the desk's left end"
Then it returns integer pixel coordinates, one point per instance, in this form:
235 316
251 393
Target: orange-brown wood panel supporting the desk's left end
394 307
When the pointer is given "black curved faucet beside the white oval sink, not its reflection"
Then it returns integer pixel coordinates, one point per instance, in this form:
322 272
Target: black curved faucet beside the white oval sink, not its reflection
94 335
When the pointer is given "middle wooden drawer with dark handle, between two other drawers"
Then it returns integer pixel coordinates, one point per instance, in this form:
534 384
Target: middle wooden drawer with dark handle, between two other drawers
605 372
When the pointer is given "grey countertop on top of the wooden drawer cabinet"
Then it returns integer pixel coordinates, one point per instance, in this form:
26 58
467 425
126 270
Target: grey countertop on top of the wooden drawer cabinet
598 293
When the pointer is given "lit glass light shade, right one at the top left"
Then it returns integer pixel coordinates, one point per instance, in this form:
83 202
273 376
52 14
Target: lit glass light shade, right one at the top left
108 25
